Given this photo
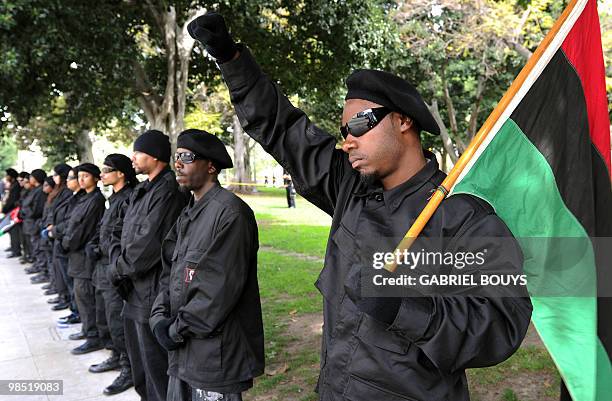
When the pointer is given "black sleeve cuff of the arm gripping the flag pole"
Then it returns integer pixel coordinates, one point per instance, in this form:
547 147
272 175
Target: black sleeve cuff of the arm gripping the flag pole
414 317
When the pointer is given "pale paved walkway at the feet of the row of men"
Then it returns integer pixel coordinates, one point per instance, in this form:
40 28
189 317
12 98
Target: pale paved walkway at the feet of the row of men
32 347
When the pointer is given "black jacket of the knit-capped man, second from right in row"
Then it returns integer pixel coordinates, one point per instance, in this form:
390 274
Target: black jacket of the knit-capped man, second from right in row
152 210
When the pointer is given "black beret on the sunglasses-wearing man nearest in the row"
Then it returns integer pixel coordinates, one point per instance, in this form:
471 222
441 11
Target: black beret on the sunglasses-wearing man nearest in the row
205 145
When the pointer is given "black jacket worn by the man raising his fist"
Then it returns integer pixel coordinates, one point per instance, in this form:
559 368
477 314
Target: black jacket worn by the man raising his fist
423 354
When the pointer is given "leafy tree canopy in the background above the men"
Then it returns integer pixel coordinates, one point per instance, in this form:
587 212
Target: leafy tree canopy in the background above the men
73 67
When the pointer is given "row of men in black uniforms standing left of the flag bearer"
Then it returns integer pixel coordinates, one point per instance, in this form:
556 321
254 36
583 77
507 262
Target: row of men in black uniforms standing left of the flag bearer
164 275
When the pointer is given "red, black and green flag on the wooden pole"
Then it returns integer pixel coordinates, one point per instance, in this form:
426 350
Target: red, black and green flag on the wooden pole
545 168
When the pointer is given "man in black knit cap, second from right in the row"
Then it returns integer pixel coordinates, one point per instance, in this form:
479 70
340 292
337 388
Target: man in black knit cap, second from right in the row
152 210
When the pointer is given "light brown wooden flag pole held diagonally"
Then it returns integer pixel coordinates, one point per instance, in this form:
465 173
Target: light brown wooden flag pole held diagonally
478 139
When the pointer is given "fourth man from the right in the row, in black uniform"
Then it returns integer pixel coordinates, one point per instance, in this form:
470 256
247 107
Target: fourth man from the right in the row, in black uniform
81 227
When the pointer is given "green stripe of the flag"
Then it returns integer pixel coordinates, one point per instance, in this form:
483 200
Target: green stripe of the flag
515 178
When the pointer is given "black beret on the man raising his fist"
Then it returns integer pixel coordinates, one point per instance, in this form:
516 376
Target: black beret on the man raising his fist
392 92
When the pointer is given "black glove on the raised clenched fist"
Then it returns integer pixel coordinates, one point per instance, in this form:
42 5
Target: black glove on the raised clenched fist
210 29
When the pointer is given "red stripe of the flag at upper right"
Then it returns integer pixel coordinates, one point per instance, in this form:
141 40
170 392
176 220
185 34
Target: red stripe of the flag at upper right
583 49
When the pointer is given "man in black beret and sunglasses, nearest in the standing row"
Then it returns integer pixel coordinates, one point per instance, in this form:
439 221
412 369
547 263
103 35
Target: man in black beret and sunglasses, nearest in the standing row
208 312
